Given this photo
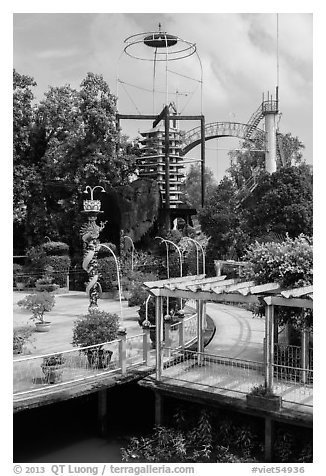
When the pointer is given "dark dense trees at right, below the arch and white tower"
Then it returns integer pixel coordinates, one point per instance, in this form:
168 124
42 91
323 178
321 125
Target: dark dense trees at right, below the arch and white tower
280 204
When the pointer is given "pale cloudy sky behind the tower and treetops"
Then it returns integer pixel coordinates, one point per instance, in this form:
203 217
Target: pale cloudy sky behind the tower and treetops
238 53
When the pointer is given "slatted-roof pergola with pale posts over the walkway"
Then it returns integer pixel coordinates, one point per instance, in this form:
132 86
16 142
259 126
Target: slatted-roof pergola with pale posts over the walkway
220 289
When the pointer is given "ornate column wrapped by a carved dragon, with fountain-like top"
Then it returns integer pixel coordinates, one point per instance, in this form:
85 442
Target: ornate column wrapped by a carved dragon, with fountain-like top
90 233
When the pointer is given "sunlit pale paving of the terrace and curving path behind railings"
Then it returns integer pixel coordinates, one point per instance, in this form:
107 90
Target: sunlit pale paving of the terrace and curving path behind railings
237 335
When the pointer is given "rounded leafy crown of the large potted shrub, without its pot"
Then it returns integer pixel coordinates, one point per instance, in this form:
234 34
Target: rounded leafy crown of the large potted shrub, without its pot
96 327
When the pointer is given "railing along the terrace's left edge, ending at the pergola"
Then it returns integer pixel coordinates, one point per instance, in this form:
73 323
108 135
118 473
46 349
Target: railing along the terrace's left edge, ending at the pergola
35 373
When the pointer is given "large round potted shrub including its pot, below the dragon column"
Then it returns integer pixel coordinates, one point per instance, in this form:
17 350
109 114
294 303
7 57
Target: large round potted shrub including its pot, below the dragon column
95 329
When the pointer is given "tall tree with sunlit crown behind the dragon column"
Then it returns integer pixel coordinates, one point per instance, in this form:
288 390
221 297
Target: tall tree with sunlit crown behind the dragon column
73 141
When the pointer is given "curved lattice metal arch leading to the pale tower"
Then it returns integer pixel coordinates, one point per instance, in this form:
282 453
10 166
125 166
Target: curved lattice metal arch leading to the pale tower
214 130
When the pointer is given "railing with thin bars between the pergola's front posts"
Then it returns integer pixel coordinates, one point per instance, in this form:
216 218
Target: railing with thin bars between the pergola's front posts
230 376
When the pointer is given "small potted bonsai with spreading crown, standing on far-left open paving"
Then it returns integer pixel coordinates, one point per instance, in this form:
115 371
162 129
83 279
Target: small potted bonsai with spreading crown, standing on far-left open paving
38 304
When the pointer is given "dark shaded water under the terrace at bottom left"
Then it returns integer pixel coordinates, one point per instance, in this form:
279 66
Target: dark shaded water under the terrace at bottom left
68 431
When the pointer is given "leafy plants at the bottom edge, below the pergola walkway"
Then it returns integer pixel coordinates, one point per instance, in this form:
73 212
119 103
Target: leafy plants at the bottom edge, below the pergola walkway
199 436
